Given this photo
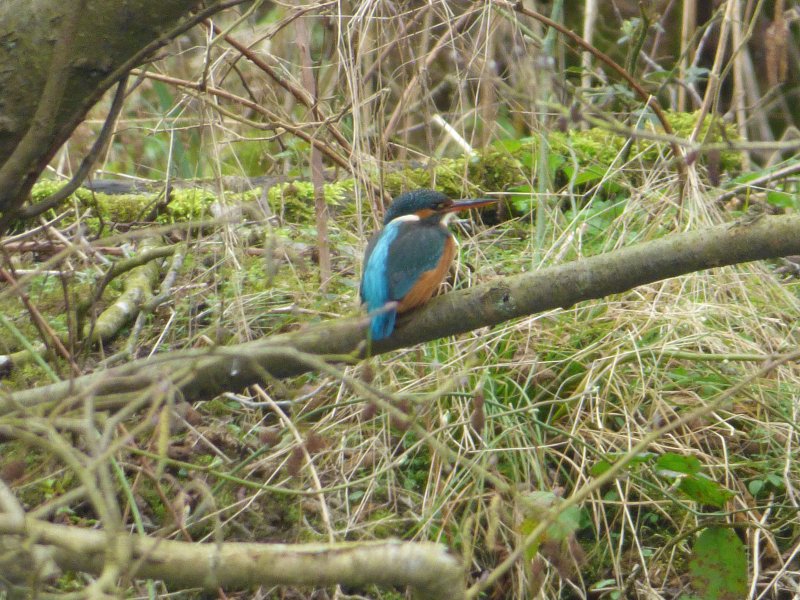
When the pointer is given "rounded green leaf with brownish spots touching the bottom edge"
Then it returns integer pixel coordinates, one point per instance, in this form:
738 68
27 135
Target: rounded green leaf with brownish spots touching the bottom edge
719 565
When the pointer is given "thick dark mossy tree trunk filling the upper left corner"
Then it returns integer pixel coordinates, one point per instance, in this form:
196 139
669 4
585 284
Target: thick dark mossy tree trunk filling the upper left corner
56 61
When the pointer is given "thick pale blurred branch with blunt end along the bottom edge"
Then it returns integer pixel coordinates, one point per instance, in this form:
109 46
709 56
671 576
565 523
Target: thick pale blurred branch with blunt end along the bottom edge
428 568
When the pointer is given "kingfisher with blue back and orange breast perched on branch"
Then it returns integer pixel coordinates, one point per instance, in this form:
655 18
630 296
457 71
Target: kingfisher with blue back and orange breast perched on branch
408 259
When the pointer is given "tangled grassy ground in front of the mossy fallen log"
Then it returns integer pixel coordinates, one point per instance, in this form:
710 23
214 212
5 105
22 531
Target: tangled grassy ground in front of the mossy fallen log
545 404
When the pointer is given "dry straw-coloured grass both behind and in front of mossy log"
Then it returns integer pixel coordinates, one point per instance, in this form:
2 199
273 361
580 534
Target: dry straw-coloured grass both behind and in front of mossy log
495 415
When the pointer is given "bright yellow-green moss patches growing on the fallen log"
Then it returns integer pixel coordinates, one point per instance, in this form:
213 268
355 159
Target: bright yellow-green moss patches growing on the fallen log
496 168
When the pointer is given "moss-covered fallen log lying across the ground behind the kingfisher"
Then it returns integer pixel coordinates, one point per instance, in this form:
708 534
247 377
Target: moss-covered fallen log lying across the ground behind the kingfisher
582 157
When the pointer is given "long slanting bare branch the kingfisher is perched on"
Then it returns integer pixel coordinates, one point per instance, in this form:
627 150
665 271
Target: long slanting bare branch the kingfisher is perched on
204 373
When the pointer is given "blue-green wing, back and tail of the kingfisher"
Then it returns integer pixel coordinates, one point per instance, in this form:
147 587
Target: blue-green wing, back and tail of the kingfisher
394 262
